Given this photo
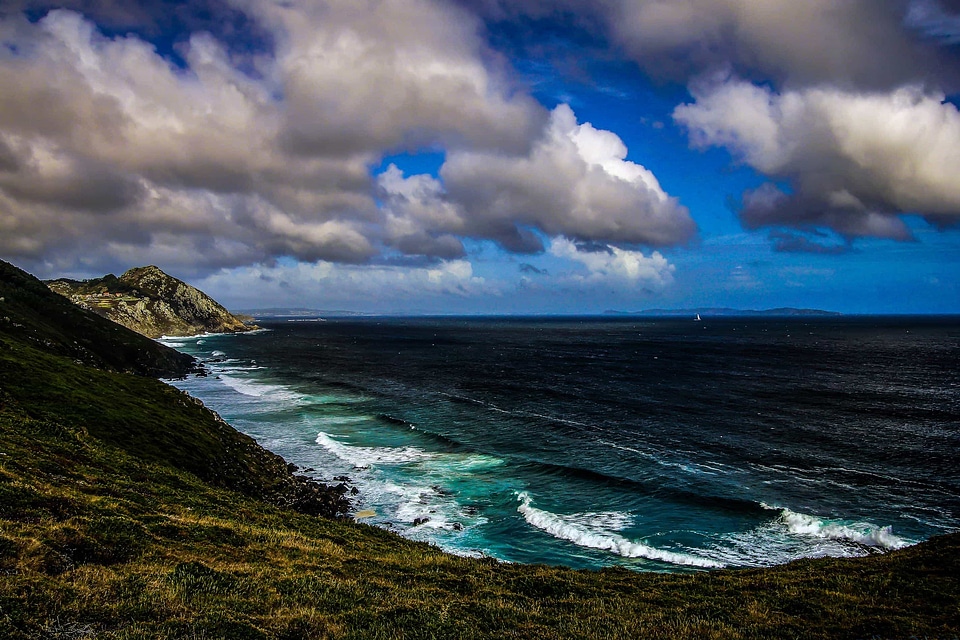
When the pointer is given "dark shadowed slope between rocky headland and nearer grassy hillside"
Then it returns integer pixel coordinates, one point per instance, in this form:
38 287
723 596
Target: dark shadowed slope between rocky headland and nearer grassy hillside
31 313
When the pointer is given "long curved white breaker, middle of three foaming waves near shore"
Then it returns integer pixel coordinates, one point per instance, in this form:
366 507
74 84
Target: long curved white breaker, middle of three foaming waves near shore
573 529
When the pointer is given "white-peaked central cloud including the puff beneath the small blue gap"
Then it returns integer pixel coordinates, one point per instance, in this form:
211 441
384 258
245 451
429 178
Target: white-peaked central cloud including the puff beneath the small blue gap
575 181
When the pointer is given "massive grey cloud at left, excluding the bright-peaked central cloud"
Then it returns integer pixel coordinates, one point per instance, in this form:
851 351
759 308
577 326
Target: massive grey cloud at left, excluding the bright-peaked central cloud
108 146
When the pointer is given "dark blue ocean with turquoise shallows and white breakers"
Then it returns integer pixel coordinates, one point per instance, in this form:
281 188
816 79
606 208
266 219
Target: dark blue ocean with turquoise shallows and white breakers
661 444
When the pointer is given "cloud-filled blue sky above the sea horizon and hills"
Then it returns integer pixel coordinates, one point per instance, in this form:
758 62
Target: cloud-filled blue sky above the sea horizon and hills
490 156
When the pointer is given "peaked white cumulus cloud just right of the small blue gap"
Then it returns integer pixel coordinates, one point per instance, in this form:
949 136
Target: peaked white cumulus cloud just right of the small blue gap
574 182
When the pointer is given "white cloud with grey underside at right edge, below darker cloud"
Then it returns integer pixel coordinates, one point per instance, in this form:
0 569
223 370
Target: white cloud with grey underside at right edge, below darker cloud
854 160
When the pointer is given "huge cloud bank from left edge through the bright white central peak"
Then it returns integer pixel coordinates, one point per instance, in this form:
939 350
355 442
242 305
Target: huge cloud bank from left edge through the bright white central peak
217 159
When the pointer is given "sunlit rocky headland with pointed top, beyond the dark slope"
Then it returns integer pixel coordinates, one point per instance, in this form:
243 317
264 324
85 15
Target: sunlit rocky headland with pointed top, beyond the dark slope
152 303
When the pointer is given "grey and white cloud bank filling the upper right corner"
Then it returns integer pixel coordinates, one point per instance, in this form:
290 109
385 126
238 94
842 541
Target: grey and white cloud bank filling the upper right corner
840 103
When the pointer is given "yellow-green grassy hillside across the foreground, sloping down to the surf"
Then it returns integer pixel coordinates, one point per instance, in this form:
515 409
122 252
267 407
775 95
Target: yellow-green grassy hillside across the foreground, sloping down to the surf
129 511
